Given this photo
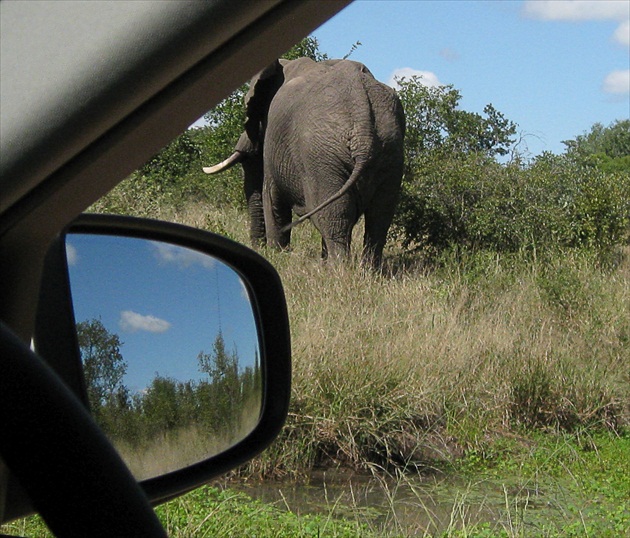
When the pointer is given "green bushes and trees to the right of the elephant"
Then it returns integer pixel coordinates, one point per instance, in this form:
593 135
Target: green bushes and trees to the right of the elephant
456 194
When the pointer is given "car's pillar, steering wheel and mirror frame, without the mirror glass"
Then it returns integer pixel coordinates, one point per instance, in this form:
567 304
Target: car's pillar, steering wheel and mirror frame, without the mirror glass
89 92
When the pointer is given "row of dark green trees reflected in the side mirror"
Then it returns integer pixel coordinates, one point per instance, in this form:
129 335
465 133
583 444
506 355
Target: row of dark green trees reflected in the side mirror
215 404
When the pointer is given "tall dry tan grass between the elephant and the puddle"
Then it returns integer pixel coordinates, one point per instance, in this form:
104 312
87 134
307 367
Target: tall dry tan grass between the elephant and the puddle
416 366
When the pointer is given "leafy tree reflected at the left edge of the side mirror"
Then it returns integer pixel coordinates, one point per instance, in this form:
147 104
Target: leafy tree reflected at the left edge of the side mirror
103 364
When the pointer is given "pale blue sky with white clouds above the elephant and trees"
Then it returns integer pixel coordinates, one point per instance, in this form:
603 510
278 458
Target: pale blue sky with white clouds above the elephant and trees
553 67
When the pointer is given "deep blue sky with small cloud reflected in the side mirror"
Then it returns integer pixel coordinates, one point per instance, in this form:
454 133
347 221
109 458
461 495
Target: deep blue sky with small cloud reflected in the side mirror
166 303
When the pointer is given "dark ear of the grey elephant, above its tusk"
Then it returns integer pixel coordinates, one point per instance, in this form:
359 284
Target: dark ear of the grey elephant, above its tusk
261 91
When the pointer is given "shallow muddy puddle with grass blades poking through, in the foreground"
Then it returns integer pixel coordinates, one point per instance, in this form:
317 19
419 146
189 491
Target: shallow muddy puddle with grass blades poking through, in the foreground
419 505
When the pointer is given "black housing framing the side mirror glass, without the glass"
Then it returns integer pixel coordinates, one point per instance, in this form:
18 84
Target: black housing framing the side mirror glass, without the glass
56 338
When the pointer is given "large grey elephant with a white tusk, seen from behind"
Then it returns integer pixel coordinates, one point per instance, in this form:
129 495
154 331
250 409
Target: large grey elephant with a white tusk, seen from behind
324 140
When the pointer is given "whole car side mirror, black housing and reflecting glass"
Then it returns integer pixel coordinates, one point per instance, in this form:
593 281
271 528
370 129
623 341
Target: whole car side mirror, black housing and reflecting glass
177 339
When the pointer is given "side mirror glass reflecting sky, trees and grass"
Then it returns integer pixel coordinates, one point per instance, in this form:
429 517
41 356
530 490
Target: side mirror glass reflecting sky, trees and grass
169 346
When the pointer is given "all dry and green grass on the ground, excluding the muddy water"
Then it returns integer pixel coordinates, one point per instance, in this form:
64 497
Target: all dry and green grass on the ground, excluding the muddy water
510 370
